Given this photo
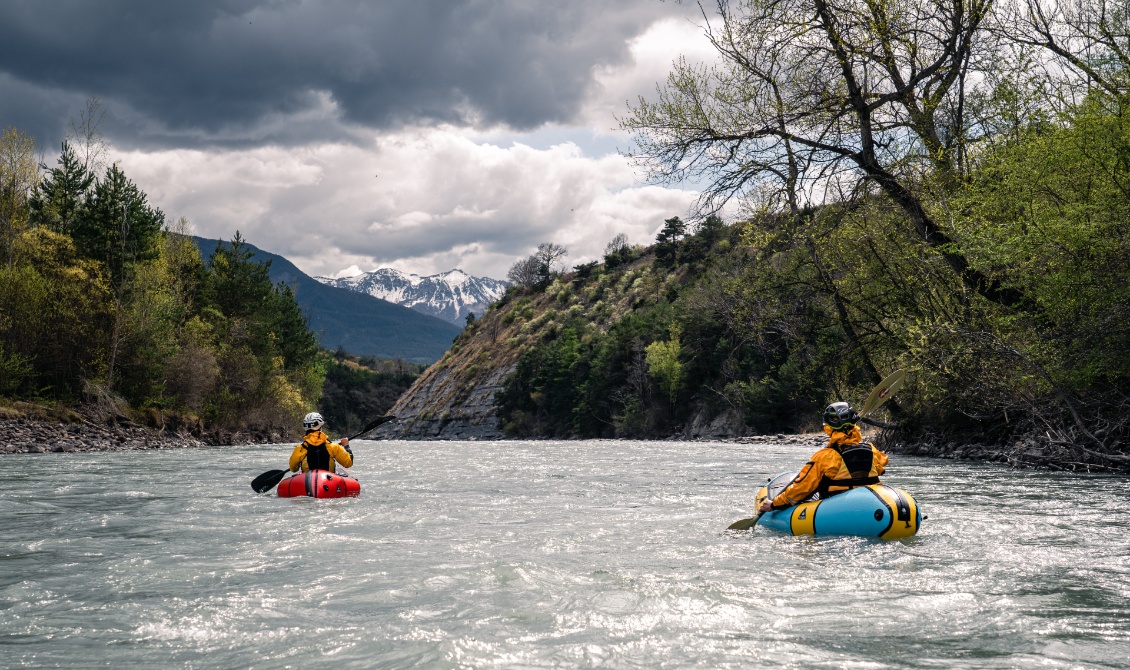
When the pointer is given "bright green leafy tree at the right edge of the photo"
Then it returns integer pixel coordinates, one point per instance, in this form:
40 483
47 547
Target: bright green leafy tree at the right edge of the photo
1049 212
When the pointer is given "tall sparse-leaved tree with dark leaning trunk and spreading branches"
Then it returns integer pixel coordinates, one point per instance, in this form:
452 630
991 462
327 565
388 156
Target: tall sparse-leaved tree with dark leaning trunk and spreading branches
871 93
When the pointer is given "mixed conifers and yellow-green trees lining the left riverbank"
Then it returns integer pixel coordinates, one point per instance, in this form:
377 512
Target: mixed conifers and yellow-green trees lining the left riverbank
109 308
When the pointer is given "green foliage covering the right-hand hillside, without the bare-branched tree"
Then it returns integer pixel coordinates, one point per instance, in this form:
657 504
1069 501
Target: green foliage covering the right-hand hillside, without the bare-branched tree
780 315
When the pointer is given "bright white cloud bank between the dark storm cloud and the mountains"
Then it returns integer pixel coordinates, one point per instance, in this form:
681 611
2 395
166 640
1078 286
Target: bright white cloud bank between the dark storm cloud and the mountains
423 202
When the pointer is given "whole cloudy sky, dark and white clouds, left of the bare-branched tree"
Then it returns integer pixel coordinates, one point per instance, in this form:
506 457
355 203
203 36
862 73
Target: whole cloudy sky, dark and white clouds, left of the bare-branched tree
351 135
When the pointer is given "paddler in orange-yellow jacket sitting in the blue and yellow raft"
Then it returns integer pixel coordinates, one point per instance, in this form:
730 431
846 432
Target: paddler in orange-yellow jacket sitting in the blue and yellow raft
844 465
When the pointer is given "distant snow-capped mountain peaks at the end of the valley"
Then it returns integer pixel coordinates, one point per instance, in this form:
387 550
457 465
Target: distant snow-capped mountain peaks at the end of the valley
450 295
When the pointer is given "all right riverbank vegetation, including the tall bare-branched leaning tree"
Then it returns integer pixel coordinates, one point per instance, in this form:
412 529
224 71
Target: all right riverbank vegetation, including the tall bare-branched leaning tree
941 188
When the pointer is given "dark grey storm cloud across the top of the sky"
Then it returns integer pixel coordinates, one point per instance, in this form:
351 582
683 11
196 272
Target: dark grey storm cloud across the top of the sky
242 73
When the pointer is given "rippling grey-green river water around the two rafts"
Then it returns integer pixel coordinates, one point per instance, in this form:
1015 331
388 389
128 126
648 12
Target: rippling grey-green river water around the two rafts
547 555
